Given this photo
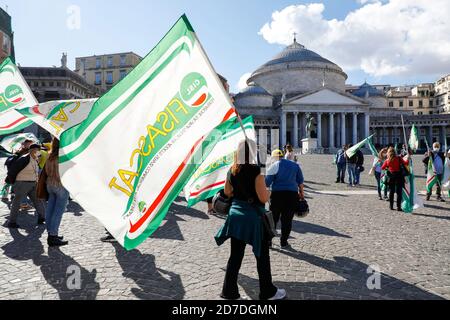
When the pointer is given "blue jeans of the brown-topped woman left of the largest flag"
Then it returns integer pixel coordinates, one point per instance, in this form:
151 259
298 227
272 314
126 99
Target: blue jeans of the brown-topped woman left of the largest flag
57 202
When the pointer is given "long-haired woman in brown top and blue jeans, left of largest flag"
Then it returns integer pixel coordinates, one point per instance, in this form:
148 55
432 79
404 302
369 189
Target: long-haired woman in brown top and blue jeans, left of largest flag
58 197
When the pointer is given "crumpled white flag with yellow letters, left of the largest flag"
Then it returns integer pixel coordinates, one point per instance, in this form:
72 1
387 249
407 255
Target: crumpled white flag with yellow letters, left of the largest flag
58 116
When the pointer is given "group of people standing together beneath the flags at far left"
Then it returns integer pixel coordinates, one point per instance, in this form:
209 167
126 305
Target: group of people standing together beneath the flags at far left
33 173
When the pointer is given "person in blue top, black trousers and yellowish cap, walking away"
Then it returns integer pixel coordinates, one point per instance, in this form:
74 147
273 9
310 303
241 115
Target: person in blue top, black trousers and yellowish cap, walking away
285 179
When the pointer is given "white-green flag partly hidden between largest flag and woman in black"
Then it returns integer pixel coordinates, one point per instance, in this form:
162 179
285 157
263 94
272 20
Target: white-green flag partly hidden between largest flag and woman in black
211 175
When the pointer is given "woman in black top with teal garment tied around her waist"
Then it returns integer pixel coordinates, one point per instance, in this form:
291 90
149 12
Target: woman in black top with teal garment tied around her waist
244 225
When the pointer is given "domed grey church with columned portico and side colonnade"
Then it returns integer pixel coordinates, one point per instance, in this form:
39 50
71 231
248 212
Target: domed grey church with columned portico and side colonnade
298 84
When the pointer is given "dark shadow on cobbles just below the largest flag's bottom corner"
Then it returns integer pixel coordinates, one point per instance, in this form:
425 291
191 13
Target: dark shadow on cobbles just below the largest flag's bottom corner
154 283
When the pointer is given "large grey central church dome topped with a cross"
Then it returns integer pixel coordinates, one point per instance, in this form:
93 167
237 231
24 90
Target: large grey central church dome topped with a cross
298 70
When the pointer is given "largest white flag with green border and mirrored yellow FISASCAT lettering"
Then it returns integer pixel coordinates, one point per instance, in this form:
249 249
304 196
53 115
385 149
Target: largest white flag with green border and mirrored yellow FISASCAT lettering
143 140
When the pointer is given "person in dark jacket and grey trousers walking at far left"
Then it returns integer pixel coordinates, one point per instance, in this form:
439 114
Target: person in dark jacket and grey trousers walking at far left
23 174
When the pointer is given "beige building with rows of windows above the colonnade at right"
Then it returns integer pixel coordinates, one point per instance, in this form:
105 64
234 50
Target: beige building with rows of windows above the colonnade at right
417 99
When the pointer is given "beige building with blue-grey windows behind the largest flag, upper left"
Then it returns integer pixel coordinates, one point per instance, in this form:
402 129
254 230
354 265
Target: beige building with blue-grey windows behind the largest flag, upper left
106 70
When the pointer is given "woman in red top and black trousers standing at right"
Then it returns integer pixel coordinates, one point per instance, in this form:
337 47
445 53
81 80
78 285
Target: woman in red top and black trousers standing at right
394 165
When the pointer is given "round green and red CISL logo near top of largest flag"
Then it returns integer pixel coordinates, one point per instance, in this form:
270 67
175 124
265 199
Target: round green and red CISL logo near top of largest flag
194 90
